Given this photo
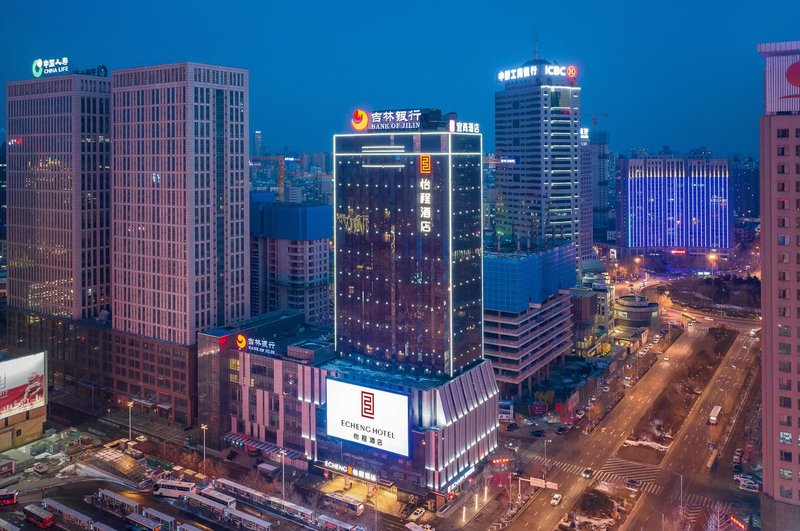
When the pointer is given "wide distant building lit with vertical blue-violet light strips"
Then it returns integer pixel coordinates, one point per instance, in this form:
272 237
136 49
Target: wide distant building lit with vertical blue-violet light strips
677 206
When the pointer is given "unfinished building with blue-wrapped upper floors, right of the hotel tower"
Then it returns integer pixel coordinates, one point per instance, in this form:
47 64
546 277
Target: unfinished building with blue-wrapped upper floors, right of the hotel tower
527 313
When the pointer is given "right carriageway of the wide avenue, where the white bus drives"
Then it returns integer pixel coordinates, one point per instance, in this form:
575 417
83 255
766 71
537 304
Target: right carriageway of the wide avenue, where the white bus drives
688 454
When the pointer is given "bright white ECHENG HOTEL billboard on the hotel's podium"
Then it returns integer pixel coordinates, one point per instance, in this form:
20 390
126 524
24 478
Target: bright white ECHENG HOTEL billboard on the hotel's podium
368 416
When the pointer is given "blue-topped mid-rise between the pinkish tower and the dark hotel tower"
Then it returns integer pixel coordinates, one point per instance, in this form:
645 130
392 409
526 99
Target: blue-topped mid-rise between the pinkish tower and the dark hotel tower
290 247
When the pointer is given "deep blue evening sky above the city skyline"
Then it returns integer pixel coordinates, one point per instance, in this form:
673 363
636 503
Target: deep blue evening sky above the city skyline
686 75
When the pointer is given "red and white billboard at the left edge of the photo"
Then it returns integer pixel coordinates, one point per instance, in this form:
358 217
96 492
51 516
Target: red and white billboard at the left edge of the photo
22 384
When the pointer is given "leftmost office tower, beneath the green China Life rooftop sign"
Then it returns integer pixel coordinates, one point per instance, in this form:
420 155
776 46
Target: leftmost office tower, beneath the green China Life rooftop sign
58 194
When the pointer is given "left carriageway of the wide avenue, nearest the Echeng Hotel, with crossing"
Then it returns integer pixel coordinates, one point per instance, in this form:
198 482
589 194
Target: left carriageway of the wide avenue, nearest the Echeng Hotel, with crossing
596 450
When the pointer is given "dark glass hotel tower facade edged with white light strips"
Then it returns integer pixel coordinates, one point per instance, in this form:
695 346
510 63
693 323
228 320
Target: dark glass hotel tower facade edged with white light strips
408 249
